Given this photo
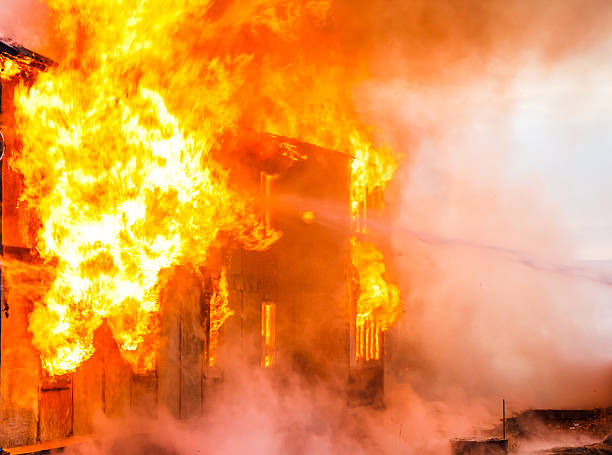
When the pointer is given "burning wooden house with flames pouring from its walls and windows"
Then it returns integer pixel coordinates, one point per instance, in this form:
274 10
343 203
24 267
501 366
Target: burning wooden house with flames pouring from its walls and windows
148 315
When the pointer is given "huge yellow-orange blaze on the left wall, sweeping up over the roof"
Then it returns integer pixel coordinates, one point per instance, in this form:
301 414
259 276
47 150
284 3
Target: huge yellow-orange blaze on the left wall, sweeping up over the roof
117 143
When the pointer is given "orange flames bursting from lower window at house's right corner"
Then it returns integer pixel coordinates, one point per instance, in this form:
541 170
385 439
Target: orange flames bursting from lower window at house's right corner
378 304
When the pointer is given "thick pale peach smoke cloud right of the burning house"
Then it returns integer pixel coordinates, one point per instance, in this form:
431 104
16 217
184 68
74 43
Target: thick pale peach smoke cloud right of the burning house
496 303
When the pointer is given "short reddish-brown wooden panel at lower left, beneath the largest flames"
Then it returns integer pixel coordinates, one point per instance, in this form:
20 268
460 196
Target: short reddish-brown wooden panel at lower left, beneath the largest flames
55 413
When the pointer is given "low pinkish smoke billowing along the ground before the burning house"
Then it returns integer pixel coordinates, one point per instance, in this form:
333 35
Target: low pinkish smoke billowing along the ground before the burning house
256 416
